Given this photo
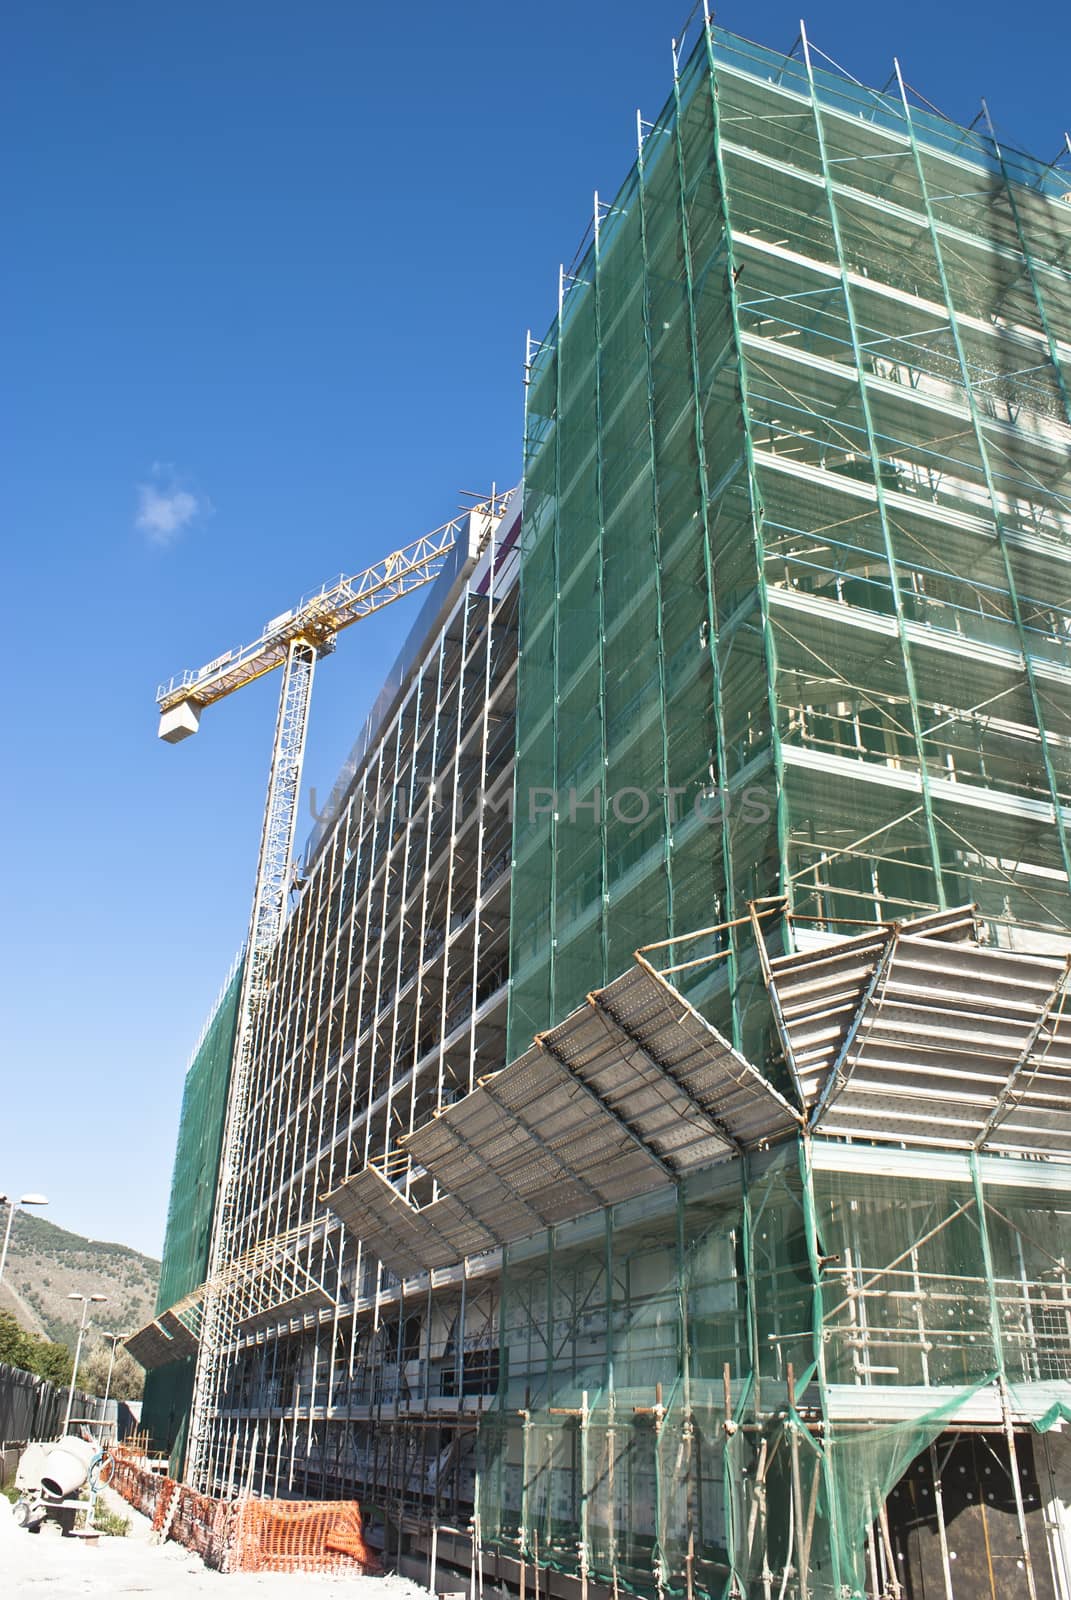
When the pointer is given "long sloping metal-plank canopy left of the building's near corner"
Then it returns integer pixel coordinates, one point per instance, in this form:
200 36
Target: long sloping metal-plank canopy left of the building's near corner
628 1094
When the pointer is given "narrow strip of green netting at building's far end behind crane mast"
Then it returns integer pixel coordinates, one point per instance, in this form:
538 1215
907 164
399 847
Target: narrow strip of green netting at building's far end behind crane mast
169 1390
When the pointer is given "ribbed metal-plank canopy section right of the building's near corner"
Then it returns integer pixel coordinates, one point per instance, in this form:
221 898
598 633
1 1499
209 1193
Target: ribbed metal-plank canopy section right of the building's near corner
928 1039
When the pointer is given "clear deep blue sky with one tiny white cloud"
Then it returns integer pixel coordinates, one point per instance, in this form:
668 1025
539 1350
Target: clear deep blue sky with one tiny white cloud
267 281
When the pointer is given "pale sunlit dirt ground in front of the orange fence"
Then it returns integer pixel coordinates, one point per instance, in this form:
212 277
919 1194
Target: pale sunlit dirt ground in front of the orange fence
57 1569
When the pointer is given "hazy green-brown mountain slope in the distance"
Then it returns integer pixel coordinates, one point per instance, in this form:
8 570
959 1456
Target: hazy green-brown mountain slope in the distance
47 1265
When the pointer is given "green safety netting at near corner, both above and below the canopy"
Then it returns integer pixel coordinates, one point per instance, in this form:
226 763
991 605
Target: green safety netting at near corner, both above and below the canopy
796 489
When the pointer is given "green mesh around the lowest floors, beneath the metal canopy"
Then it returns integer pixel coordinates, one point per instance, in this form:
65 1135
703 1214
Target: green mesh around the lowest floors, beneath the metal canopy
712 1390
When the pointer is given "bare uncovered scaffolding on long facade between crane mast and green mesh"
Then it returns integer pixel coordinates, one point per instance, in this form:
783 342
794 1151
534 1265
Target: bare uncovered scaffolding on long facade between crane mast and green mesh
382 1002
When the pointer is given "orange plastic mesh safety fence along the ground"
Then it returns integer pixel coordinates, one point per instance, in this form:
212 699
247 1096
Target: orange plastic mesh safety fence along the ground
249 1535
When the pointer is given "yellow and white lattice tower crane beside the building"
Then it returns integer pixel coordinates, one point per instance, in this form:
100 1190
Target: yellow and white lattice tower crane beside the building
294 641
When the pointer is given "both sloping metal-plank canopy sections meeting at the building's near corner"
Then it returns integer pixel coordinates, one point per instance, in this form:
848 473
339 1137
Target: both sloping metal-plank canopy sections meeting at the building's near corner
913 1034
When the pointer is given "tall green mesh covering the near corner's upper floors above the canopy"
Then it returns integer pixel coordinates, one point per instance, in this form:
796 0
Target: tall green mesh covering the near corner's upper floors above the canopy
798 484
